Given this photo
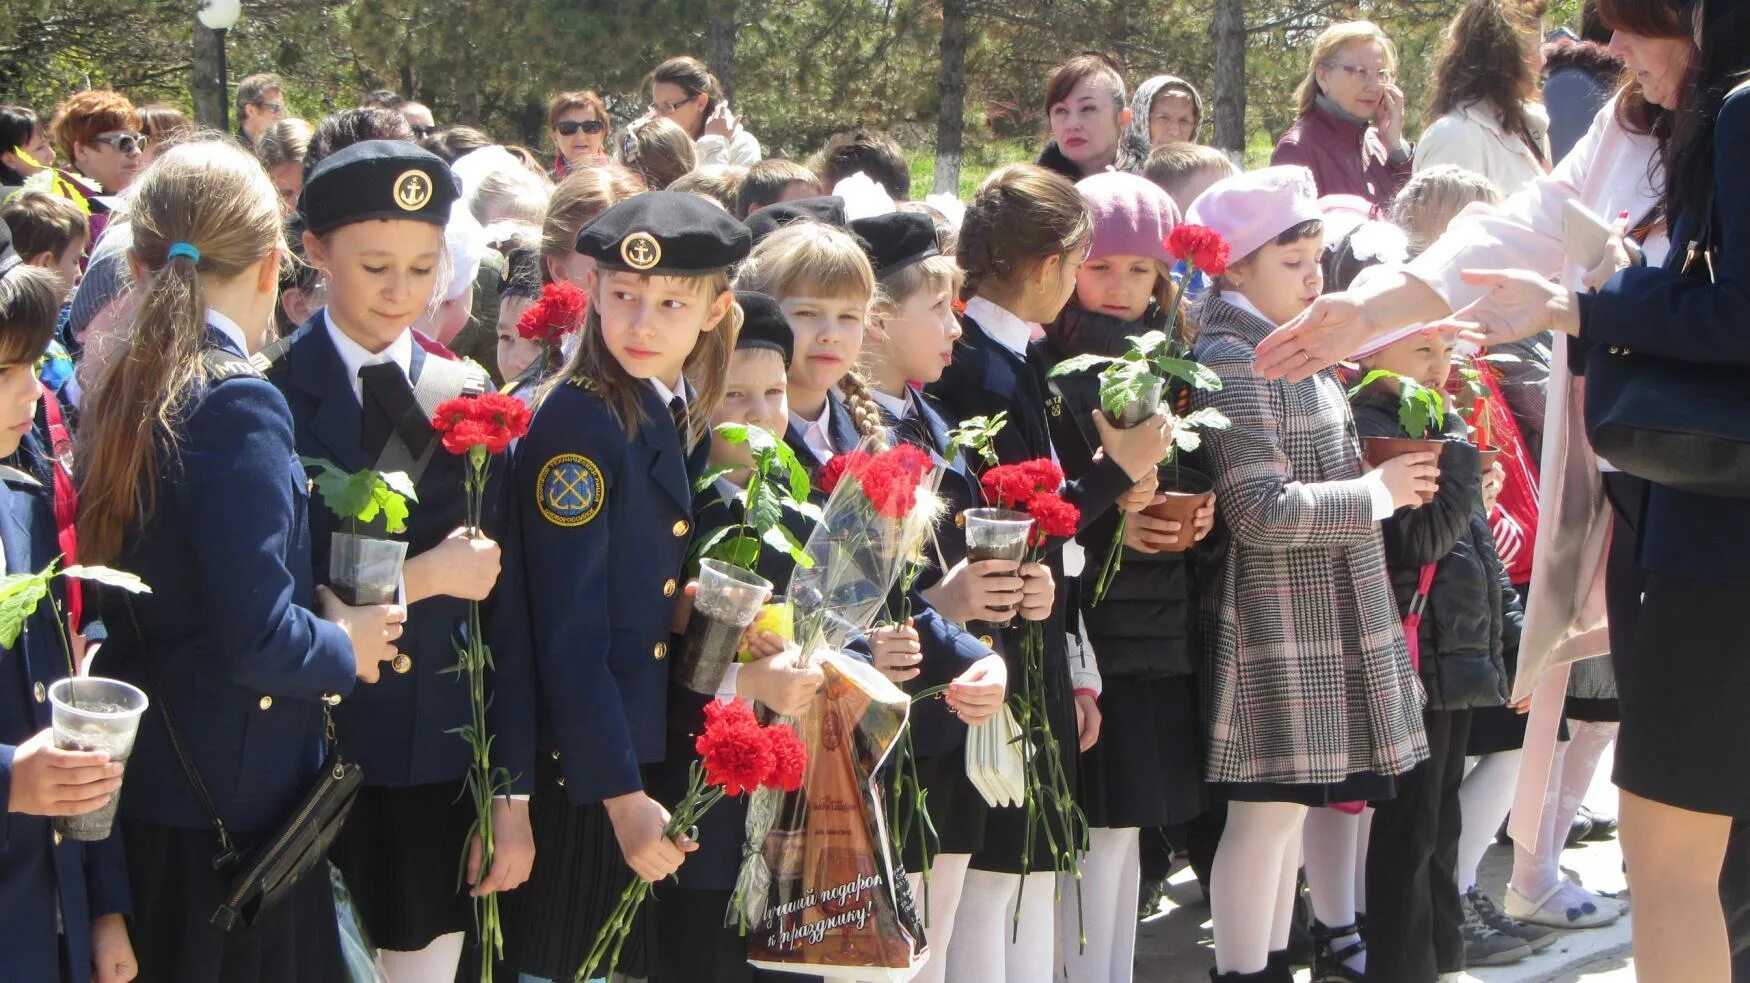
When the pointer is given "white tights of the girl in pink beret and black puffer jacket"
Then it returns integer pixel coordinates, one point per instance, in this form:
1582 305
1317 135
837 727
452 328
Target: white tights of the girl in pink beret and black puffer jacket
1110 877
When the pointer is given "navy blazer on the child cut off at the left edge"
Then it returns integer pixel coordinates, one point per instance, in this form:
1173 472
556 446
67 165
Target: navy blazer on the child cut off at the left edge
36 870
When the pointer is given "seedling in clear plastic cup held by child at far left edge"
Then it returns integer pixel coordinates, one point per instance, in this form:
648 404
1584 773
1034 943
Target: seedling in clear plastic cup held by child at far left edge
87 713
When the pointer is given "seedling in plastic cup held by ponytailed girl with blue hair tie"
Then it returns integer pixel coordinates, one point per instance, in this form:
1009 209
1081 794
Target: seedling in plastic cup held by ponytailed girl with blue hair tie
365 569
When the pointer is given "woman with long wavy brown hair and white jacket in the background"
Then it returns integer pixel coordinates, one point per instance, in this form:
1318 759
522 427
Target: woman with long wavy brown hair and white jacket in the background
1483 99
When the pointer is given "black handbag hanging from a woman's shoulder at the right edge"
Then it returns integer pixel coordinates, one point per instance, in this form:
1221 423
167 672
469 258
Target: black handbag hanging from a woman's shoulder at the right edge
1677 424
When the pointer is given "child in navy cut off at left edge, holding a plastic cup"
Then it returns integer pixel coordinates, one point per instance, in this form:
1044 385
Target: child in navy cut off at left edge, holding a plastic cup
62 902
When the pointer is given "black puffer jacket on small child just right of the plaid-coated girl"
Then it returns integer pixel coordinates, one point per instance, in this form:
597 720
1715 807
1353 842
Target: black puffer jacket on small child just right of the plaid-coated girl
1473 610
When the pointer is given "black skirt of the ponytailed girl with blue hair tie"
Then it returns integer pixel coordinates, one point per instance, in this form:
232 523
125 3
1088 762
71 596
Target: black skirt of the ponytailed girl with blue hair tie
176 893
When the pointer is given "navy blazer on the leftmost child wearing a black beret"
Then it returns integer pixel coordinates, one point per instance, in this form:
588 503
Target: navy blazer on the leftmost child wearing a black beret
400 729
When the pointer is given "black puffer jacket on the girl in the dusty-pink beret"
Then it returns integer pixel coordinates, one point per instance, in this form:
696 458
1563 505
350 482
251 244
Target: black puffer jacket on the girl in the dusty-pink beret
1147 624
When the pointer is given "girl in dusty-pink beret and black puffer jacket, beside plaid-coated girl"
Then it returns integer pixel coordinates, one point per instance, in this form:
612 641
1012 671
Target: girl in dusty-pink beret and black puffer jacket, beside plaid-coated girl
1142 763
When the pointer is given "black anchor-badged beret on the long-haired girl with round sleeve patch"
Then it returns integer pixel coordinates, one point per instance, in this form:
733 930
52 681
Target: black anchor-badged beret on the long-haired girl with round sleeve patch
666 234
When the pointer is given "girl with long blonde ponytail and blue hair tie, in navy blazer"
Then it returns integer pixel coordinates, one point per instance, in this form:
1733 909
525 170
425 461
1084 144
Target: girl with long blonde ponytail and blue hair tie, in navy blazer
190 482
